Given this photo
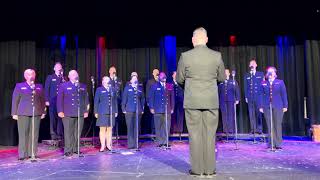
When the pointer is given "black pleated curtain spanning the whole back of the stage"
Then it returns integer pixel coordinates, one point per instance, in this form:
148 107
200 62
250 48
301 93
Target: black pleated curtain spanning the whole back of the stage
298 66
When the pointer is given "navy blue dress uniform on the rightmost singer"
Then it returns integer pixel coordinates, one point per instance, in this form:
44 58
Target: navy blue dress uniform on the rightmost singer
276 93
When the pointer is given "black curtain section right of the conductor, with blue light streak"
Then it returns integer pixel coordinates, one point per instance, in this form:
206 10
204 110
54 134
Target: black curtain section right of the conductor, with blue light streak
289 61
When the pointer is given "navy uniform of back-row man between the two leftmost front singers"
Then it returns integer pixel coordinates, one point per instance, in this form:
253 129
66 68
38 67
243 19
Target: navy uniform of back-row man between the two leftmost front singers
51 91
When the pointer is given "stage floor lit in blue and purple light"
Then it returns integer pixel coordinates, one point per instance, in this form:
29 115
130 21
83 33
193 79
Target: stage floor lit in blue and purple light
298 160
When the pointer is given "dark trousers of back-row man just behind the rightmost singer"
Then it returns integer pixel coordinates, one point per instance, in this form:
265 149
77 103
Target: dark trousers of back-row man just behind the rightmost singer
255 117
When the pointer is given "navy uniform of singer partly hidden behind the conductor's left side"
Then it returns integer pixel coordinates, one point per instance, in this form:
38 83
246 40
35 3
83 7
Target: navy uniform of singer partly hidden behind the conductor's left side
178 114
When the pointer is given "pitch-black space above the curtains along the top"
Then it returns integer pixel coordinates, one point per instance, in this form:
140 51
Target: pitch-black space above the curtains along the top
142 23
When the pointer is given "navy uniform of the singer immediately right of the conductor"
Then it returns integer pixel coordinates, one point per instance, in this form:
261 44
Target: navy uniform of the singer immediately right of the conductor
229 93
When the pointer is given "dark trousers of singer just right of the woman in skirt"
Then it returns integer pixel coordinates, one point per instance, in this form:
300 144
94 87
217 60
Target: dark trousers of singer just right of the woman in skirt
132 129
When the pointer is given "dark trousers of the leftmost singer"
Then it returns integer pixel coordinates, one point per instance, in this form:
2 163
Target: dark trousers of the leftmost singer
25 135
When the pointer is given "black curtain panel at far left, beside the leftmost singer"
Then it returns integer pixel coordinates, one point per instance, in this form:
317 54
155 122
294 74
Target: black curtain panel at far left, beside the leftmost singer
15 57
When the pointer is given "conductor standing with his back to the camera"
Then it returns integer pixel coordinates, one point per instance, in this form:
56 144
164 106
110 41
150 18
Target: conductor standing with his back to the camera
198 71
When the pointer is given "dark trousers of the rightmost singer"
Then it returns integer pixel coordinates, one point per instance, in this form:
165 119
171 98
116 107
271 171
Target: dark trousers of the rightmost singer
277 116
